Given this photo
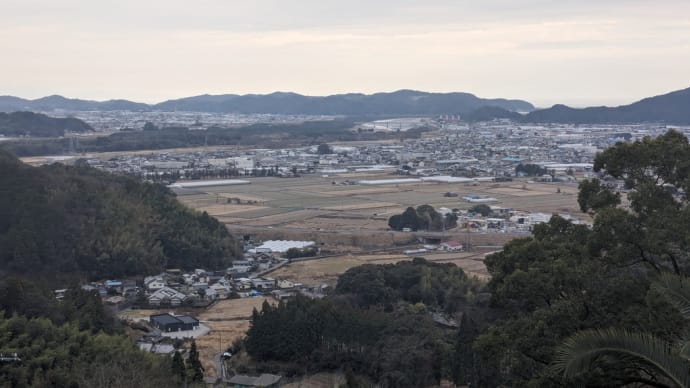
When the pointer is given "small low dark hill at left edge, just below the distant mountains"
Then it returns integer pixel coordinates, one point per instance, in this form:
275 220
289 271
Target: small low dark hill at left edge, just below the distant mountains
36 124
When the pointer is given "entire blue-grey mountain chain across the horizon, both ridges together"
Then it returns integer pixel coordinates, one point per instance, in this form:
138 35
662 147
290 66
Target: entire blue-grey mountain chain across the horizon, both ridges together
672 108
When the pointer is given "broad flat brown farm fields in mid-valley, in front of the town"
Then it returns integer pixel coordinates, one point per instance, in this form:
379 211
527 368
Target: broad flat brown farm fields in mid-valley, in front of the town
315 205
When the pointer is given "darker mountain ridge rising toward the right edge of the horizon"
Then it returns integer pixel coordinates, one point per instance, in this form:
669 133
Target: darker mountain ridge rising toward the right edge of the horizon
670 108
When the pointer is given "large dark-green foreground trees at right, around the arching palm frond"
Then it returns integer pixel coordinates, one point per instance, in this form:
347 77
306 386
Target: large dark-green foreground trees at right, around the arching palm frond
568 278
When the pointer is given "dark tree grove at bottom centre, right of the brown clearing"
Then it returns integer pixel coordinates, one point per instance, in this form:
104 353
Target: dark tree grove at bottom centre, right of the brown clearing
377 324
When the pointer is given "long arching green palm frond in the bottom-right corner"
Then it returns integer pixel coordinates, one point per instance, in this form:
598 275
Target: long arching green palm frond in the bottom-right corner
581 351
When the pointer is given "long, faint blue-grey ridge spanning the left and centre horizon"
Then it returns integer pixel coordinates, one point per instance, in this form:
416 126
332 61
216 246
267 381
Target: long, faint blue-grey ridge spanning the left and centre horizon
402 102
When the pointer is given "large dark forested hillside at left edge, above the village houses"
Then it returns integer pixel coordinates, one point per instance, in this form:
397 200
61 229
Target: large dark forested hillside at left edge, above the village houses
78 220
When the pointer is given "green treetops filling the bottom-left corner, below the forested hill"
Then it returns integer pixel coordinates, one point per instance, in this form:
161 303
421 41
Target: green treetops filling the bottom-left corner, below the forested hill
72 342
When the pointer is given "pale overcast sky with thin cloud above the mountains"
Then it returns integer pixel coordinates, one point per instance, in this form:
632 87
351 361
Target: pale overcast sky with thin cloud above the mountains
579 52
